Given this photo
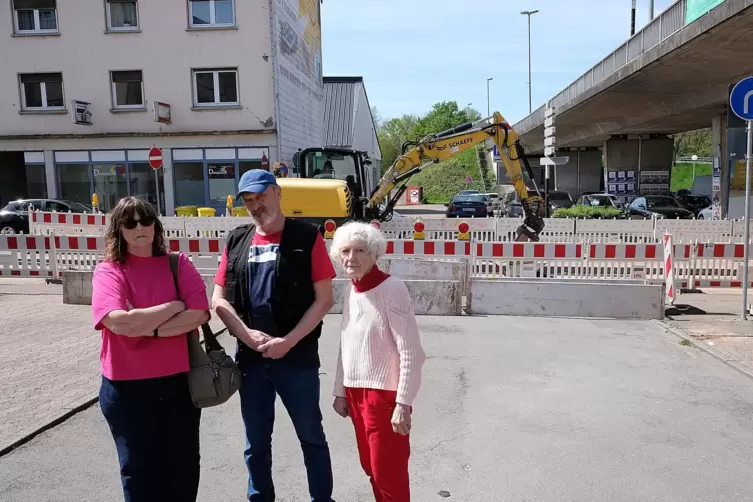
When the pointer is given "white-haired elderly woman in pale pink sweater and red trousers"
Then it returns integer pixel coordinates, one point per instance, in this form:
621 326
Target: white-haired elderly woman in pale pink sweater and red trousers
379 362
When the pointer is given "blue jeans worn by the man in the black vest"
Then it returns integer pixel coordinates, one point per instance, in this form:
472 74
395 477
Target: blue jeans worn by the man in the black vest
299 390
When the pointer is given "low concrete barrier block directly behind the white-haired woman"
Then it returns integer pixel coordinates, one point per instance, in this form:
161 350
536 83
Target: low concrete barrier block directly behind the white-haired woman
429 297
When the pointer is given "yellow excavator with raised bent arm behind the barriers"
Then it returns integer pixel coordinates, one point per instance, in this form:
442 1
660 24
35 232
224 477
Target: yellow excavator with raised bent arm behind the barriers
333 182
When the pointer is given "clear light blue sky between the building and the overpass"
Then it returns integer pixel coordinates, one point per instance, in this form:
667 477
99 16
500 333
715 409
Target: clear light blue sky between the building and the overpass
414 53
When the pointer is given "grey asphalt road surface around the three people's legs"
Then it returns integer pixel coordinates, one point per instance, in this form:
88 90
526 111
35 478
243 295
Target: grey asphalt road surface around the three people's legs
509 409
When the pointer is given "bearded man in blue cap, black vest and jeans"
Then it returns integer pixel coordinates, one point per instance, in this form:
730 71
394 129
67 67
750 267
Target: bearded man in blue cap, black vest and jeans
272 289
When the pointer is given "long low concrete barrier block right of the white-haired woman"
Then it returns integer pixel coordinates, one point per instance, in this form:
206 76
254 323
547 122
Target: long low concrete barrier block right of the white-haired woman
594 299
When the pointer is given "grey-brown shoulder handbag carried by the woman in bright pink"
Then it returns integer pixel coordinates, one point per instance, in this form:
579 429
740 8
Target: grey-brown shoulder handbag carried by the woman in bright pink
213 376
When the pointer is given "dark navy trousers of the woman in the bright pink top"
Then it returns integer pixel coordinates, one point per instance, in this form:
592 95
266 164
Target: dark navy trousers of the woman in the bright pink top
156 431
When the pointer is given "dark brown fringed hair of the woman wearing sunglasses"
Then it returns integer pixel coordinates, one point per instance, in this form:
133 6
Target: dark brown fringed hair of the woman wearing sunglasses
116 248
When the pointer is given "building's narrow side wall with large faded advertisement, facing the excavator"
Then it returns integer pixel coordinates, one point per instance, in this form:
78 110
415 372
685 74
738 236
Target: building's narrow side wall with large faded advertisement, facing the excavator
298 74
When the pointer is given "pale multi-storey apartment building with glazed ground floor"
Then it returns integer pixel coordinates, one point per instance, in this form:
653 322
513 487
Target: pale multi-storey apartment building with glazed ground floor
220 86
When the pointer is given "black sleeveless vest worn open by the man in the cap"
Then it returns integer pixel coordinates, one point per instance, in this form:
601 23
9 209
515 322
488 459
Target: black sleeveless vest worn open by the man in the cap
292 288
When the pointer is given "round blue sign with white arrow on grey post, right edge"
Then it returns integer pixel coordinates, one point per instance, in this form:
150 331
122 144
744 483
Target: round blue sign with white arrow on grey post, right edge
741 103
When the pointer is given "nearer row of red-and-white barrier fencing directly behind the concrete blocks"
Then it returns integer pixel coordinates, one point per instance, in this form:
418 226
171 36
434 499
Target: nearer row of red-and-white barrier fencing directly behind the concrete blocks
687 266
